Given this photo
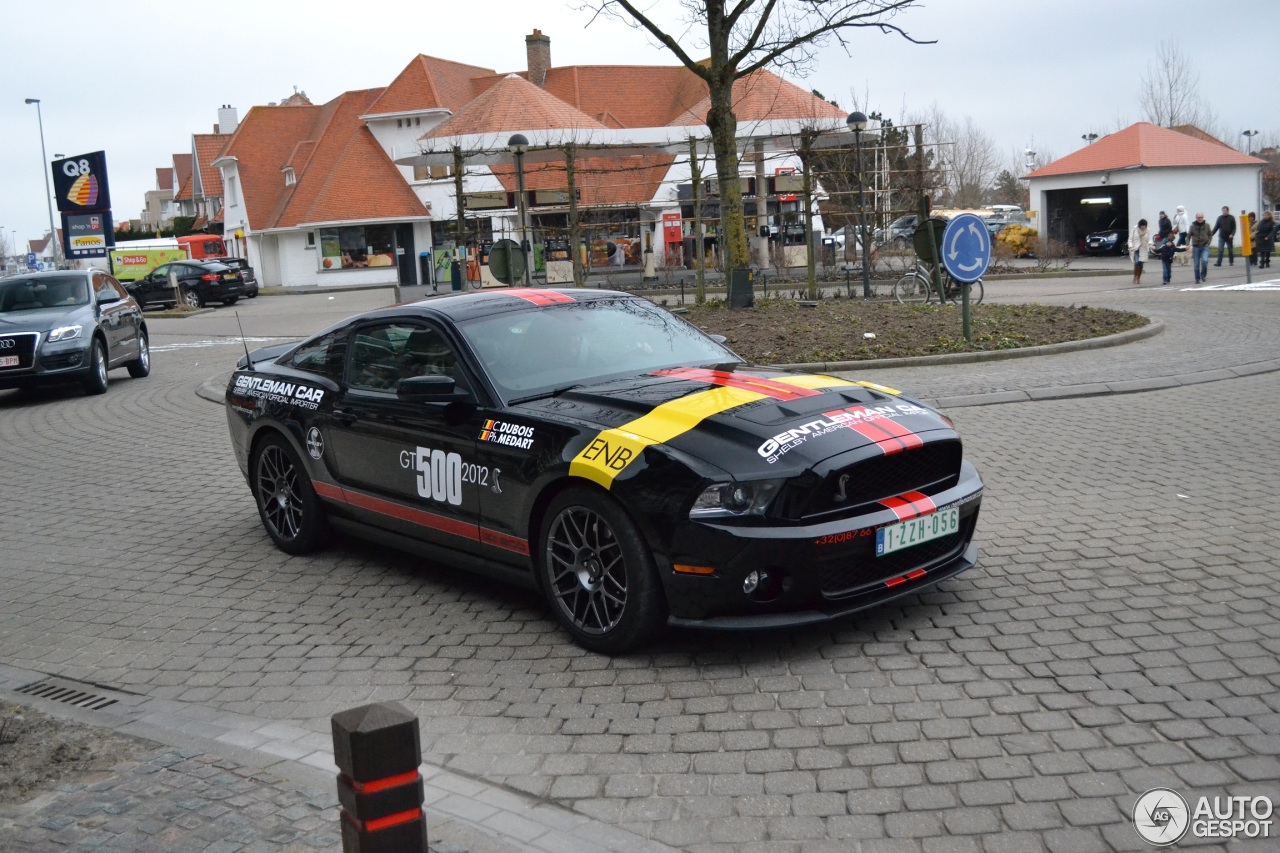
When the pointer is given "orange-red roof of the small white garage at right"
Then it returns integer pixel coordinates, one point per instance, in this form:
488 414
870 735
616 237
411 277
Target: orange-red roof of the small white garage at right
1145 145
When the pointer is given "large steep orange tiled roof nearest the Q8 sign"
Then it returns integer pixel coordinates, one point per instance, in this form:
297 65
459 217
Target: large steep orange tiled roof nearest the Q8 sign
342 172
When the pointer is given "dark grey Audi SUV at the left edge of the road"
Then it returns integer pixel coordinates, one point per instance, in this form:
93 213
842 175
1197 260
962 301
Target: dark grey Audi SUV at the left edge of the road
70 326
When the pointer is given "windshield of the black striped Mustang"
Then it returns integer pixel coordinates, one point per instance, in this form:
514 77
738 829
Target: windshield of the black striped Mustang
579 344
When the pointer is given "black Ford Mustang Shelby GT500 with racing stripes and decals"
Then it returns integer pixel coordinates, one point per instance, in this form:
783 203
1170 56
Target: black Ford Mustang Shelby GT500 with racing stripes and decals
609 453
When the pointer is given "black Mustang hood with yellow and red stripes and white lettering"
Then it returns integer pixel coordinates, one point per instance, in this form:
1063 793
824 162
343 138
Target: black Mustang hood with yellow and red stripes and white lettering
751 421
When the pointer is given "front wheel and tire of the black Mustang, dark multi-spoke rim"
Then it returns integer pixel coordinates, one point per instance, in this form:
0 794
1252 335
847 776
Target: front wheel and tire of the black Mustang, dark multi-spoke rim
598 574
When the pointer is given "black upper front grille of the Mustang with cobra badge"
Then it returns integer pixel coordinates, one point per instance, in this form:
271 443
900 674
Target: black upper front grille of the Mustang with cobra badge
931 468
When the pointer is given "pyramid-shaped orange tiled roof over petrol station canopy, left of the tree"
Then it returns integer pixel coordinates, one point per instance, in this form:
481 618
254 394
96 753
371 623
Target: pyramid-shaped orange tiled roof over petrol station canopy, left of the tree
514 104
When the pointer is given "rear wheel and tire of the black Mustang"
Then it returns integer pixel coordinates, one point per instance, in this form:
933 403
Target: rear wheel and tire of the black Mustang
289 507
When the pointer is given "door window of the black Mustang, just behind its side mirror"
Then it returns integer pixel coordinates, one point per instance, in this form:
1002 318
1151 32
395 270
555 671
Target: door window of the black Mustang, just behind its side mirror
383 355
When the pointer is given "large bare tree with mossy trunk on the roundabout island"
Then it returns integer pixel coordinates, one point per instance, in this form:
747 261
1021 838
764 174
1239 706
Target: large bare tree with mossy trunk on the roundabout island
742 38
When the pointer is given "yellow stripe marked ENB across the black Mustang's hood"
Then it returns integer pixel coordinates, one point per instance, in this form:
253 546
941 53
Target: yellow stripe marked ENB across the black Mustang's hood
614 450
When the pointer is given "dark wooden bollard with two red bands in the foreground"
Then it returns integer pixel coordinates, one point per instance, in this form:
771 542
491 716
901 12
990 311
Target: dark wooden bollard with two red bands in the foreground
378 750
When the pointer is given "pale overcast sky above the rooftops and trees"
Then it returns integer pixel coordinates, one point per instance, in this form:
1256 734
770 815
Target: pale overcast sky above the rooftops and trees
136 79
